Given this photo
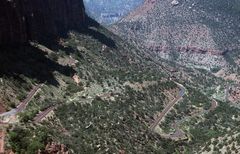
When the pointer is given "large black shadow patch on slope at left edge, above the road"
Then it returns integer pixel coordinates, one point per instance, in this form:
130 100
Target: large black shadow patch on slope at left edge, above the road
30 62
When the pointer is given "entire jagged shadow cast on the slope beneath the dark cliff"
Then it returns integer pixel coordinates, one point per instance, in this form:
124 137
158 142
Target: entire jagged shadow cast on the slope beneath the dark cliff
33 63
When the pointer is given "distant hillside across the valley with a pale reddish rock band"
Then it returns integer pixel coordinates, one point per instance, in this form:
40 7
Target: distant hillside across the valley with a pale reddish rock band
194 33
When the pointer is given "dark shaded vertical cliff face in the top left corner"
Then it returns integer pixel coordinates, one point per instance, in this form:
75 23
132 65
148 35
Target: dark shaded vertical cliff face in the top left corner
23 20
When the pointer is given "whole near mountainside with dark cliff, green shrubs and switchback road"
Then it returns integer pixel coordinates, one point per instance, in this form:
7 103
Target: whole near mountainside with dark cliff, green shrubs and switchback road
85 90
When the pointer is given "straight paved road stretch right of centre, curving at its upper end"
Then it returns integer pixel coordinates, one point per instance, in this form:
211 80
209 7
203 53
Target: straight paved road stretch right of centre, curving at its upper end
168 107
